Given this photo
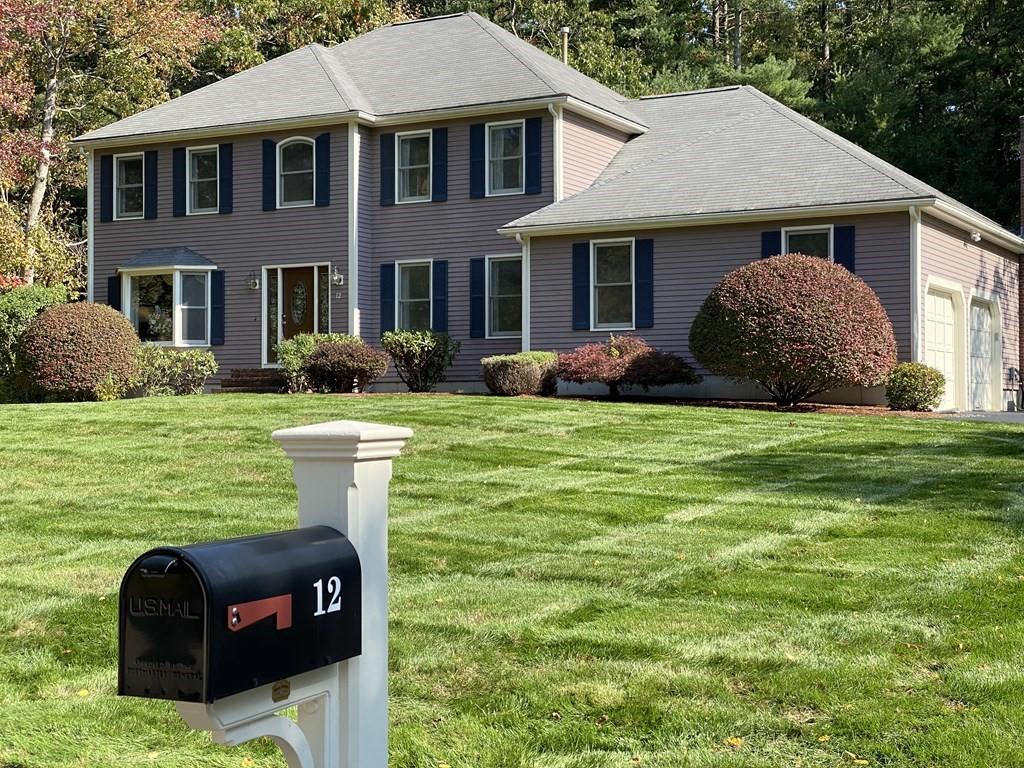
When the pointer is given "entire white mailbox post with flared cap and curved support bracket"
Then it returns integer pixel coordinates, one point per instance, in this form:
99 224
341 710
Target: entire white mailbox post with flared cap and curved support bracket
343 471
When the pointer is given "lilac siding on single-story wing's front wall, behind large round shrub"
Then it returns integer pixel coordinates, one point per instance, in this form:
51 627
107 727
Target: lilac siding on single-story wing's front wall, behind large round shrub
691 262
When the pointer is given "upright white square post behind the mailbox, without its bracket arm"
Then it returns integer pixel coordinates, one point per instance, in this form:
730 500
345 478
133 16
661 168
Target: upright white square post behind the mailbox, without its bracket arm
343 471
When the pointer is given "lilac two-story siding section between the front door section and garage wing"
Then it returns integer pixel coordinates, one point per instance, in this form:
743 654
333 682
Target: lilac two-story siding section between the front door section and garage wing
457 231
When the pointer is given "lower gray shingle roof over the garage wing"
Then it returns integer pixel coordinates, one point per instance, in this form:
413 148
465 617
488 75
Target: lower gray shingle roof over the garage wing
731 151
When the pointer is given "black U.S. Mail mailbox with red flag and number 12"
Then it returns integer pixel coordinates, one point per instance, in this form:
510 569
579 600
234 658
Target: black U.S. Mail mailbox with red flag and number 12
201 623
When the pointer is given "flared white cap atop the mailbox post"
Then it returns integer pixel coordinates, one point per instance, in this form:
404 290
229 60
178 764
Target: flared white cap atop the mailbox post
356 441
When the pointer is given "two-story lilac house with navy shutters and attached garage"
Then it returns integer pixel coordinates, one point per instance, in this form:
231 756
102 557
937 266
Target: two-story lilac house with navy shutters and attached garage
445 175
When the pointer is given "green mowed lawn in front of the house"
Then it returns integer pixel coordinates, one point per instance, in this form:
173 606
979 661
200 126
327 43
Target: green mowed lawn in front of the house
574 584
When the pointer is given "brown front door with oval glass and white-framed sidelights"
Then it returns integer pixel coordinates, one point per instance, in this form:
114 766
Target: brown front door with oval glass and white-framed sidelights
296 301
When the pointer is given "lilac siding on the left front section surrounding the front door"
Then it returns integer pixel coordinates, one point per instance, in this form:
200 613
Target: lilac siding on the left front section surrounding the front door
239 243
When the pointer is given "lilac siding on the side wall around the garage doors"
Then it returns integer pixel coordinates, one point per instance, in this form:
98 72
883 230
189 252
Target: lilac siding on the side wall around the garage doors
948 252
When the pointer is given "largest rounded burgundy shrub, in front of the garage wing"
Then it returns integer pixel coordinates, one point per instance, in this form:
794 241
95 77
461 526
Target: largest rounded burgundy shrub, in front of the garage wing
797 325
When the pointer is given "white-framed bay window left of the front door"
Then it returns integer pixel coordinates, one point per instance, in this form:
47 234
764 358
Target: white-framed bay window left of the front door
170 308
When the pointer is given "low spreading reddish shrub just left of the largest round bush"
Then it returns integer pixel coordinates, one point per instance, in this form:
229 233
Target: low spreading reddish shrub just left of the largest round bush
623 361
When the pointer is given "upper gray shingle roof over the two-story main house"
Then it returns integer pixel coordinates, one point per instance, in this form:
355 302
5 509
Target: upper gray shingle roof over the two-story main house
436 64
